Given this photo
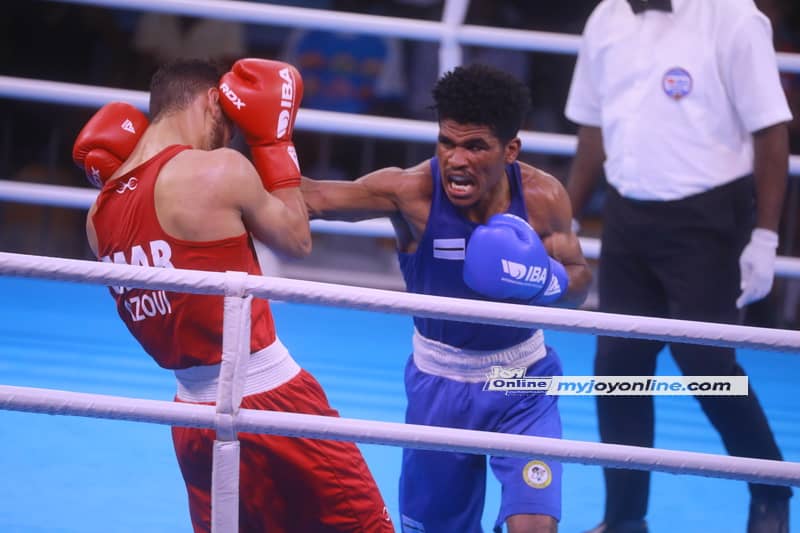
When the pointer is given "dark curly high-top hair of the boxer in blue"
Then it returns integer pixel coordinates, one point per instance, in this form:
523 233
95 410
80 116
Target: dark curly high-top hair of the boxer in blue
480 94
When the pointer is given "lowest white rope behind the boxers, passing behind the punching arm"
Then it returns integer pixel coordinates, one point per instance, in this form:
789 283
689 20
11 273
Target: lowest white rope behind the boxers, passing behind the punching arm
82 198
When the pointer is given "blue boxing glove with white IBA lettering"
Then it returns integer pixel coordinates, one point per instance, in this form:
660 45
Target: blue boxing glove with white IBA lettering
505 258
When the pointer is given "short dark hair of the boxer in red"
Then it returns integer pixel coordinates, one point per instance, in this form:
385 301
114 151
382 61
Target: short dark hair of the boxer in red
175 84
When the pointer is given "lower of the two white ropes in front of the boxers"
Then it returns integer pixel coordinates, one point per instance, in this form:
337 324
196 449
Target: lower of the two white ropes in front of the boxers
55 402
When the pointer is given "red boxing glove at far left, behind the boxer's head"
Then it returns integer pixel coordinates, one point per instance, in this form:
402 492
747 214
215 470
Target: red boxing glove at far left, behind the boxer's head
107 140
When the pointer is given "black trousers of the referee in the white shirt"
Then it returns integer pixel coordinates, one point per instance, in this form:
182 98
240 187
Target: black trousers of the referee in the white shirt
676 259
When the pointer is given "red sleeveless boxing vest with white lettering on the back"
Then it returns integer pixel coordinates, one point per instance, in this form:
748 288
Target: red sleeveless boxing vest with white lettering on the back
178 330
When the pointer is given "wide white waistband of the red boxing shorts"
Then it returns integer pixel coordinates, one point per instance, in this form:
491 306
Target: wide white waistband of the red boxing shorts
267 369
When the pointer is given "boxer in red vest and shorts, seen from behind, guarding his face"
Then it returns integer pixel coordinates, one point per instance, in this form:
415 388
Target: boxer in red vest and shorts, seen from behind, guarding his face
183 200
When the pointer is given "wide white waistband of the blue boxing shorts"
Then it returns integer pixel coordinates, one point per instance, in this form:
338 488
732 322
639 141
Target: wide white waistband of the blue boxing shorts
473 366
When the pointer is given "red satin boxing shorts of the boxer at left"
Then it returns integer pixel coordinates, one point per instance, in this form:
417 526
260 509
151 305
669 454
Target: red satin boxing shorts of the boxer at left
287 484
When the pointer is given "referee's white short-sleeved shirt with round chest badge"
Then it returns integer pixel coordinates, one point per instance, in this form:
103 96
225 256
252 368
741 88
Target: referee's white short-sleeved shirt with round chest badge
677 94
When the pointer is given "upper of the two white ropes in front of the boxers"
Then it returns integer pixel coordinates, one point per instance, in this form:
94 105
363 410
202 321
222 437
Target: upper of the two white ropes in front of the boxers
397 302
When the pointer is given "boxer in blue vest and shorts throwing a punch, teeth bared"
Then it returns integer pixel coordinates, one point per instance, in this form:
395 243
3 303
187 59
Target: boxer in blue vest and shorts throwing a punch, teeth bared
473 222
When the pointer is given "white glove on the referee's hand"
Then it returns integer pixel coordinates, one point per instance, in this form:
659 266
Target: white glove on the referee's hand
757 264
